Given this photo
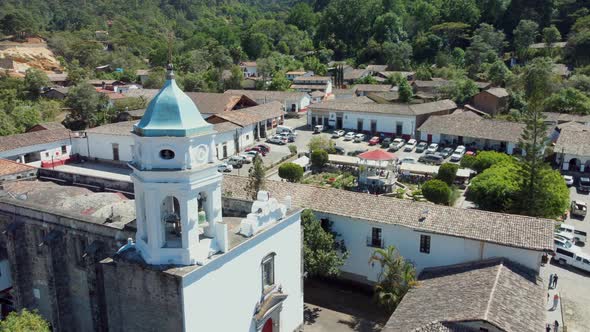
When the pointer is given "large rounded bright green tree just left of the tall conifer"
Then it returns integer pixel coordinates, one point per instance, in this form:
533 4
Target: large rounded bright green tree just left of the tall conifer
496 188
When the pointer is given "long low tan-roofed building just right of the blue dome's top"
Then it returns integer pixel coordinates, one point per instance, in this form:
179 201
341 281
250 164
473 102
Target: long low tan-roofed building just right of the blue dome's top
291 101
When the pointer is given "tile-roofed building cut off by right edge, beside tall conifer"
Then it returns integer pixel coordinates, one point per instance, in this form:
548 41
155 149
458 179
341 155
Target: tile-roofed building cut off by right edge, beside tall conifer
572 149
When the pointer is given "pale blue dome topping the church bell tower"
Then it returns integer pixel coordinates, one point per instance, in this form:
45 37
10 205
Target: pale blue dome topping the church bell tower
171 113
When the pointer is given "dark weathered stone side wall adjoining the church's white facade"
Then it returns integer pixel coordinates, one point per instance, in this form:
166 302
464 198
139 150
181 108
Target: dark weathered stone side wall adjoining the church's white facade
138 298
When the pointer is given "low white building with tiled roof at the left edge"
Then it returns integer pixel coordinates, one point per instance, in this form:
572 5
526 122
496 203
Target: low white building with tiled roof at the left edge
43 148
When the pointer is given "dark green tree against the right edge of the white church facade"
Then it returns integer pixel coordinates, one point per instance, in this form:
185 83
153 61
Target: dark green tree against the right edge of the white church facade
322 254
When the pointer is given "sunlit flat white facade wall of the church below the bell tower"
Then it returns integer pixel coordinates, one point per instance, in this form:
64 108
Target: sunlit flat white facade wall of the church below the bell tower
232 283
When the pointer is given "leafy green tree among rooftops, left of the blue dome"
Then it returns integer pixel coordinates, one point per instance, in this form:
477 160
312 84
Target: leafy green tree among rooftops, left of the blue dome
85 104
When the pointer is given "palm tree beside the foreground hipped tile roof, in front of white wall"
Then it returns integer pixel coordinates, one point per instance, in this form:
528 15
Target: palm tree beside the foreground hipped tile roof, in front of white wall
397 276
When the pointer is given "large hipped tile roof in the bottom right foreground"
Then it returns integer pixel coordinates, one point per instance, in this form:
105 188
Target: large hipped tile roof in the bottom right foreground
494 291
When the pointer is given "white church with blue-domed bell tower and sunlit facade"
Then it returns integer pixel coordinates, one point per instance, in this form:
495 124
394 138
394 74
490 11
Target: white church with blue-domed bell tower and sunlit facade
237 274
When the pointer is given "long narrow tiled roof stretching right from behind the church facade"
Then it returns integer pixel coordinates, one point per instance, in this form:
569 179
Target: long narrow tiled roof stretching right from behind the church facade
505 229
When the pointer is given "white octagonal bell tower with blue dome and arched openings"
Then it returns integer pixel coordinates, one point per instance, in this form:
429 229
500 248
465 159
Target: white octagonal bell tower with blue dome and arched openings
177 186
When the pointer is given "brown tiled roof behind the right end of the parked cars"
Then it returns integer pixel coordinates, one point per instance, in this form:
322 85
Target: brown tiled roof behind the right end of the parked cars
468 124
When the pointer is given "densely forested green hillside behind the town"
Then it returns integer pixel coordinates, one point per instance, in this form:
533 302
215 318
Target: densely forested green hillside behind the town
454 39
